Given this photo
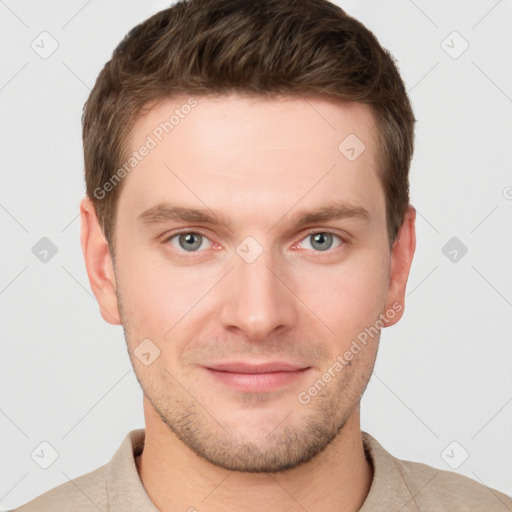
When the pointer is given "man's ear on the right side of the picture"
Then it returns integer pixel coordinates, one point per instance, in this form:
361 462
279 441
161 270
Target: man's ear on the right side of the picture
400 265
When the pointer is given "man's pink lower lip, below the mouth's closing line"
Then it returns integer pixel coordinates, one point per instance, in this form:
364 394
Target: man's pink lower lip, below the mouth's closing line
257 382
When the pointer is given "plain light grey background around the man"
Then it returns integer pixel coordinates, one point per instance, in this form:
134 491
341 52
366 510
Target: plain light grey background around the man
443 374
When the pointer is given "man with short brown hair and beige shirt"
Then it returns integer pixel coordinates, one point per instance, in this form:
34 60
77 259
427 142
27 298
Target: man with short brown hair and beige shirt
247 222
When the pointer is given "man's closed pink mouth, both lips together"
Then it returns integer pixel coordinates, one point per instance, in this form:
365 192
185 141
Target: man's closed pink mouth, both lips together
262 377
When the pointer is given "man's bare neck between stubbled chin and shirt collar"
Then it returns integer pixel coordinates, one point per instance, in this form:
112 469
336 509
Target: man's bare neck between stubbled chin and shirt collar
175 478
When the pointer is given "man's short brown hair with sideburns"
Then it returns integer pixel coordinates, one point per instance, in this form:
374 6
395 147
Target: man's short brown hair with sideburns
258 47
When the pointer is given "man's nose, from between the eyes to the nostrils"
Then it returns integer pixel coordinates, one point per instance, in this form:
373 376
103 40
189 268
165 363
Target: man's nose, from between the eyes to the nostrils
257 299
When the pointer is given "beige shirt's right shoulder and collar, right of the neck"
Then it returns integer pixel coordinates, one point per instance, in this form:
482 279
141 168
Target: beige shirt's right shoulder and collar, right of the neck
418 487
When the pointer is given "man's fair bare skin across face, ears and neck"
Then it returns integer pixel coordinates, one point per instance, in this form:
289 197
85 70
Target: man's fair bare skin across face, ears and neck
257 163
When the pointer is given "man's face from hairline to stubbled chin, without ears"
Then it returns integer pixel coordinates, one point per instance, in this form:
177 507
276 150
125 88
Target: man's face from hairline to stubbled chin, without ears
251 254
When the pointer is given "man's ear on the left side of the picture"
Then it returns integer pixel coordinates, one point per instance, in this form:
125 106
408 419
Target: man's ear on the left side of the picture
98 263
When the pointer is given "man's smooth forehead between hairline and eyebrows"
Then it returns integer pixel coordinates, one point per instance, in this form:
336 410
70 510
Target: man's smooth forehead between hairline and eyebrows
249 153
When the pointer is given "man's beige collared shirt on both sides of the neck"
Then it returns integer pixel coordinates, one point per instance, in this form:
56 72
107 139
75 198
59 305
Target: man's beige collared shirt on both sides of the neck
397 485
